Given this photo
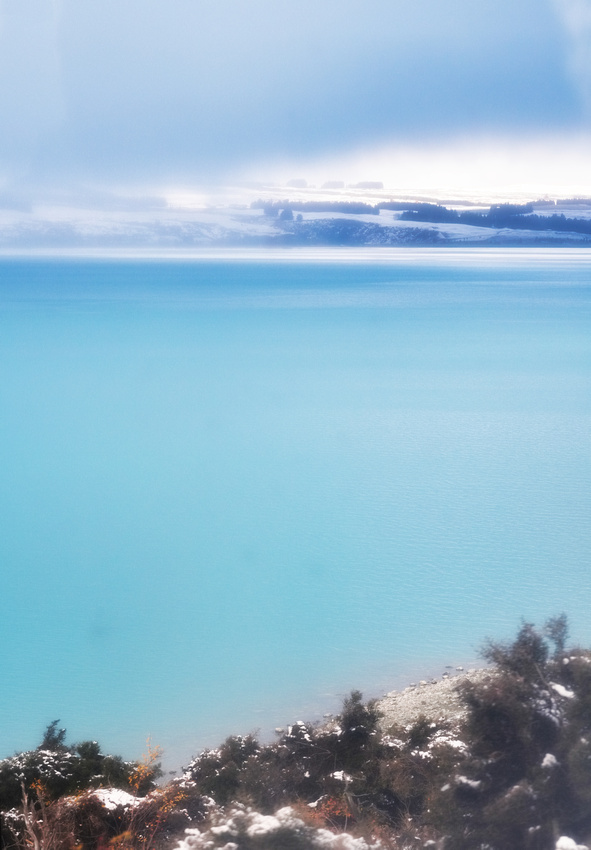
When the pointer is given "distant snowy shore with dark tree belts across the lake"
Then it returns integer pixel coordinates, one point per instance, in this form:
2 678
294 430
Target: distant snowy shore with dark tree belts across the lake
290 224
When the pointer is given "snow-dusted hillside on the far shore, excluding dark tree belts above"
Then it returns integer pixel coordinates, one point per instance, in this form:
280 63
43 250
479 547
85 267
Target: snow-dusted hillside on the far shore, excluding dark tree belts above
69 228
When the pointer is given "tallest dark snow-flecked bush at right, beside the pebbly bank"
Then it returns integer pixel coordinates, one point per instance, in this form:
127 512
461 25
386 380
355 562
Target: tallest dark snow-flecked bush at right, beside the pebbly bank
526 776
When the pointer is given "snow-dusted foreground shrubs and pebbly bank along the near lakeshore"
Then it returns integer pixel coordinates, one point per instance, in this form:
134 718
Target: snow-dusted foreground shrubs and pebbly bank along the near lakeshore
497 758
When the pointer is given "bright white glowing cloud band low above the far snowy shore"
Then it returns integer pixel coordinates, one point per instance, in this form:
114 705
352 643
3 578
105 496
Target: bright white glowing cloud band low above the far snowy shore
500 166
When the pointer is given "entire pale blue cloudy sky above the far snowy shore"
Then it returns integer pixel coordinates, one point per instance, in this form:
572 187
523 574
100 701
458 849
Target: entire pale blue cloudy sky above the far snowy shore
147 96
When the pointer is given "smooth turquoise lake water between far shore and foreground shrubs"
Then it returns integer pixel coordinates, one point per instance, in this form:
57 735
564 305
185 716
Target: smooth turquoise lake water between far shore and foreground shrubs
233 490
